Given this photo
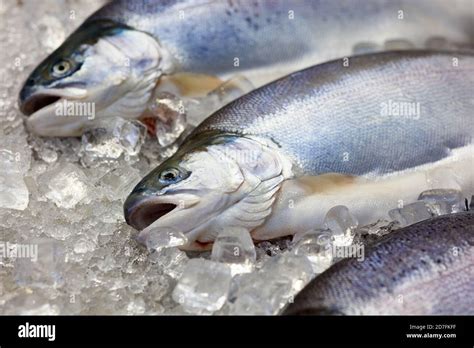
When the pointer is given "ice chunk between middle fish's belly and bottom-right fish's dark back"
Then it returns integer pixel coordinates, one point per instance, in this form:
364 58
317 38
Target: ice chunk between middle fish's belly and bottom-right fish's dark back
316 245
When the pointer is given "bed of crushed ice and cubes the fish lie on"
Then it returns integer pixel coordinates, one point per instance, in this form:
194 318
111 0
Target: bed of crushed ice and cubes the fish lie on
68 249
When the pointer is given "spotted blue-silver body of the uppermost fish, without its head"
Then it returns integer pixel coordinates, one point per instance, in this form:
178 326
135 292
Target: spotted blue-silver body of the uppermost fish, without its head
262 32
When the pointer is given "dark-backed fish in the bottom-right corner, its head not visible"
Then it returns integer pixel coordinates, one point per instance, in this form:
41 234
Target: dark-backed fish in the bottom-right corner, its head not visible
423 269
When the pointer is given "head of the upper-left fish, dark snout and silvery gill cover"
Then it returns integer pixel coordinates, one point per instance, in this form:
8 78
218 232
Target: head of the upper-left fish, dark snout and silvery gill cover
107 65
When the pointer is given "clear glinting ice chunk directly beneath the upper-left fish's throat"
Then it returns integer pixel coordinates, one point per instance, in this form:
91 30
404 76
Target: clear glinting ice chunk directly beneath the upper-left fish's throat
110 140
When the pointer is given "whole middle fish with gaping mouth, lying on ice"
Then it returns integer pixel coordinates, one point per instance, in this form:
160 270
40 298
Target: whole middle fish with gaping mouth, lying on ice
277 159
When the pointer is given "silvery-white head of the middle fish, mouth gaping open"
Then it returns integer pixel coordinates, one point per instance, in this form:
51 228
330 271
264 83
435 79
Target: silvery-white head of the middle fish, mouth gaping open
201 192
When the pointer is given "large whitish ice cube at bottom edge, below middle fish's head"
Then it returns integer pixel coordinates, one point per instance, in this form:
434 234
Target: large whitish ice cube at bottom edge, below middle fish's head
203 287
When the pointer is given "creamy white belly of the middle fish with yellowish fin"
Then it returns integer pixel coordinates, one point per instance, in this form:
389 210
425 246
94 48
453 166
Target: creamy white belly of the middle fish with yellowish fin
301 207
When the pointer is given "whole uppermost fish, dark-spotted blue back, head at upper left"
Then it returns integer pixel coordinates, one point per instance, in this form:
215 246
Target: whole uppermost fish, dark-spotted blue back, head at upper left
128 51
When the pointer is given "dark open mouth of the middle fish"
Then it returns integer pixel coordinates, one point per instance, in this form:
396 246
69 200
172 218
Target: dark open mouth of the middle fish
145 214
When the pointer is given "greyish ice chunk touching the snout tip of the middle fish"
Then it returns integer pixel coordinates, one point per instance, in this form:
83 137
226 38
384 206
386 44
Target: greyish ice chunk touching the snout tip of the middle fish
119 182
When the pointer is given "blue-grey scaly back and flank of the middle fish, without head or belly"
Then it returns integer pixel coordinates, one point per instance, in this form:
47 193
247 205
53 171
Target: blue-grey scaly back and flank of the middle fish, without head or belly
333 118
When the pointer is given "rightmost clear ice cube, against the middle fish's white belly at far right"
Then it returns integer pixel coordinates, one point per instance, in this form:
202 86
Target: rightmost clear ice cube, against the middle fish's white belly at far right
443 201
